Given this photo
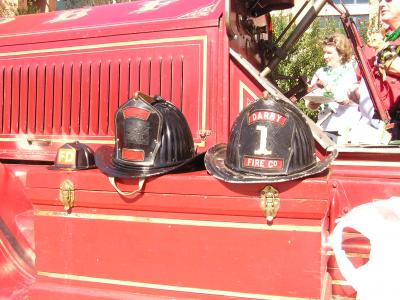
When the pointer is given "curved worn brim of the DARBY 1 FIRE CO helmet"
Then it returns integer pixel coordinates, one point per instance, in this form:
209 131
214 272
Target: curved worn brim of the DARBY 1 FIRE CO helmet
215 164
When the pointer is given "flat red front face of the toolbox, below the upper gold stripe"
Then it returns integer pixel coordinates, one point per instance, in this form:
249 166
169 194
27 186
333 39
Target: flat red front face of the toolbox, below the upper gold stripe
204 257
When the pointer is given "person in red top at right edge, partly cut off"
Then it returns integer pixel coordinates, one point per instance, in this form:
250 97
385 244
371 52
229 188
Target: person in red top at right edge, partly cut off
384 61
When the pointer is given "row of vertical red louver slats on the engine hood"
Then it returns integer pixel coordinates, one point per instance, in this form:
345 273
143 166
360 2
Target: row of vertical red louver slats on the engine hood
75 95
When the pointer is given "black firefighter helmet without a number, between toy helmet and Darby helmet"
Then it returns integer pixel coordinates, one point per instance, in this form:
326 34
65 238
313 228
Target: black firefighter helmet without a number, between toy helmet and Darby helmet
152 137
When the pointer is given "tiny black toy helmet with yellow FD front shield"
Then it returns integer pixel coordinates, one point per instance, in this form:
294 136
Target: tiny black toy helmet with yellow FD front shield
74 156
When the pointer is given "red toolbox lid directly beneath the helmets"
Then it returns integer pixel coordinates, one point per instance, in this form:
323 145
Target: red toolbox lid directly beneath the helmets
312 188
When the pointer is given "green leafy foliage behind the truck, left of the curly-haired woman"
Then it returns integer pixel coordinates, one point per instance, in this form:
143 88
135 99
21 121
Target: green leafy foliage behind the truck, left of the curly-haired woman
306 55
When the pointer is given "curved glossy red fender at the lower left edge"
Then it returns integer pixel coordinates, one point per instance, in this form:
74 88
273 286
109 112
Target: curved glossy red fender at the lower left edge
17 256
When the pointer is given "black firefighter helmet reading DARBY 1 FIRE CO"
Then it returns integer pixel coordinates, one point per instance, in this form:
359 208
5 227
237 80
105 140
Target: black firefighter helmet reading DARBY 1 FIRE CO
270 141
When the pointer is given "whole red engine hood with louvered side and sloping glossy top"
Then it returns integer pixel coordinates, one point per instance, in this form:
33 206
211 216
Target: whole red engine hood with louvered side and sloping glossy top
63 74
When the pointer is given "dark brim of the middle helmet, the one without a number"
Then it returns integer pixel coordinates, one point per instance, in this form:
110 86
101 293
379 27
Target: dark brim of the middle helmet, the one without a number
104 156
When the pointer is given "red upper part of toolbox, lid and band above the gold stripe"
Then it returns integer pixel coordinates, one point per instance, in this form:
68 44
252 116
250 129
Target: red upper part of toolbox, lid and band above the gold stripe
179 194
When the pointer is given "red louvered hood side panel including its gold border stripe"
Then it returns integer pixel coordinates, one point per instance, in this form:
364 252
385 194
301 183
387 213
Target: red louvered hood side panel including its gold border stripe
74 92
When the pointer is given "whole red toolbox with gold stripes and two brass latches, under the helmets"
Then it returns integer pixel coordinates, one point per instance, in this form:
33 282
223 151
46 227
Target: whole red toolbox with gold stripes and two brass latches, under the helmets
185 235
